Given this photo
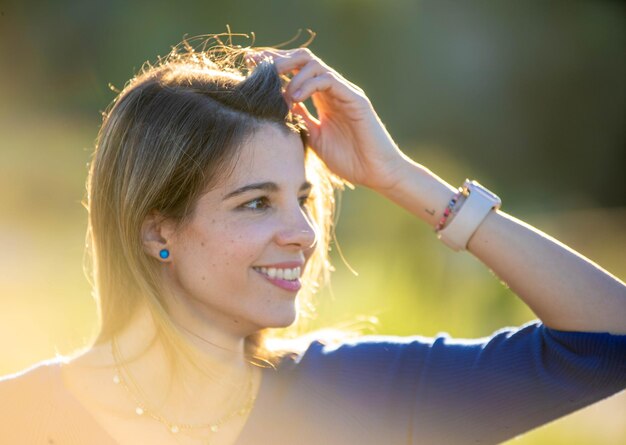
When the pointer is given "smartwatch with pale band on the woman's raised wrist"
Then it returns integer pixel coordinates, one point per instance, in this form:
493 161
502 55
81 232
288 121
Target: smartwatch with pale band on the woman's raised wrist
478 203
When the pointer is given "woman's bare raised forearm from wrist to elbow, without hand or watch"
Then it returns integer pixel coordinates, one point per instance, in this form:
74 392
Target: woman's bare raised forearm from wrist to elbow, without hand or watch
566 290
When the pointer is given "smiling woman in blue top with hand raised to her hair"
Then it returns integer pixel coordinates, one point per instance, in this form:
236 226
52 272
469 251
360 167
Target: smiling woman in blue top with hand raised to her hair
210 212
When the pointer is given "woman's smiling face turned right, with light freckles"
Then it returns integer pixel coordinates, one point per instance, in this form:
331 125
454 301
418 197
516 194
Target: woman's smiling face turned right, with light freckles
236 263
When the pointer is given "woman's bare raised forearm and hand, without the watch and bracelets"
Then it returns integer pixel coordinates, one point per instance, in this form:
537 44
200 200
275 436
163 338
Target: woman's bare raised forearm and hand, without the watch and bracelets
565 290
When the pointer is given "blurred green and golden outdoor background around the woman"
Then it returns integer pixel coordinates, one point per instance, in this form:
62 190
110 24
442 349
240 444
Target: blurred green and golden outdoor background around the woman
527 97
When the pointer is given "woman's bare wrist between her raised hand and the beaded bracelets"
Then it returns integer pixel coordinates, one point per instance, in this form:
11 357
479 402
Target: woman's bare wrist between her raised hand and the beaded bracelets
421 192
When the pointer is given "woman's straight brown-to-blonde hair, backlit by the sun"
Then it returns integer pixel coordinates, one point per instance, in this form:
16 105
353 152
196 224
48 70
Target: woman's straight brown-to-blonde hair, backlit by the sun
172 133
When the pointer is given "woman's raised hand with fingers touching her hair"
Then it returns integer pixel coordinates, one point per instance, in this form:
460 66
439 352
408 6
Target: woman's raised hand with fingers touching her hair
347 135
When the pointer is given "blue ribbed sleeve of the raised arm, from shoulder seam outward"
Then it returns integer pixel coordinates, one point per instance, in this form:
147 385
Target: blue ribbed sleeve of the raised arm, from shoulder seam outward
491 390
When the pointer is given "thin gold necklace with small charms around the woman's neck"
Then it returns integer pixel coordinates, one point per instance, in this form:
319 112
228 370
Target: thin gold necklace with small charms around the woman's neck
142 409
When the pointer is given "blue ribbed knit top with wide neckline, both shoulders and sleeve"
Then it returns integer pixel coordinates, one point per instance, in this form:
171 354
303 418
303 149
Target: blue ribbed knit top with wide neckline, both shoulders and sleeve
375 389
